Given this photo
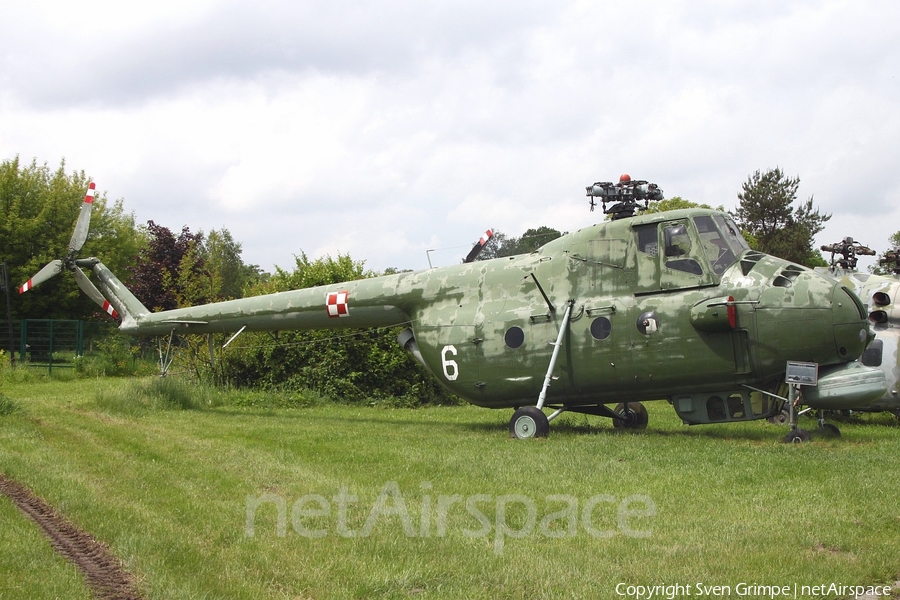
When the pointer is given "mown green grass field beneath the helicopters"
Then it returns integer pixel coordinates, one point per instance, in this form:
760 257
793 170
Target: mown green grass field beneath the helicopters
203 499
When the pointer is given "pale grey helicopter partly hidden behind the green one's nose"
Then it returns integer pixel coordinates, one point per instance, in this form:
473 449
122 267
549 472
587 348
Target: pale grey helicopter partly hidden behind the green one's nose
878 294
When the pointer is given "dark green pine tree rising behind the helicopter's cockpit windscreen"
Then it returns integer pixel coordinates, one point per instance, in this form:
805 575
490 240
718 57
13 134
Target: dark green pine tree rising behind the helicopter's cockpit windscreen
772 224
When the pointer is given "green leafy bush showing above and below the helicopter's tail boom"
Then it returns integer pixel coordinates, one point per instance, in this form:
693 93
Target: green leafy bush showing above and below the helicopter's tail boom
363 365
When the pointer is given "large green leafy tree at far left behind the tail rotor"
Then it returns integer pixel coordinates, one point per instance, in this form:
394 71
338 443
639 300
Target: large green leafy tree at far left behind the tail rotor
38 210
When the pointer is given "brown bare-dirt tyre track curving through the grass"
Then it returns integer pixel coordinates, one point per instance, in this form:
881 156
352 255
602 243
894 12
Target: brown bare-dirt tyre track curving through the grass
101 569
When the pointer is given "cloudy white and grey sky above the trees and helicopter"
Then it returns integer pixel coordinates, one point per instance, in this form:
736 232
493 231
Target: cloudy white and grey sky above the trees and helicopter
386 129
